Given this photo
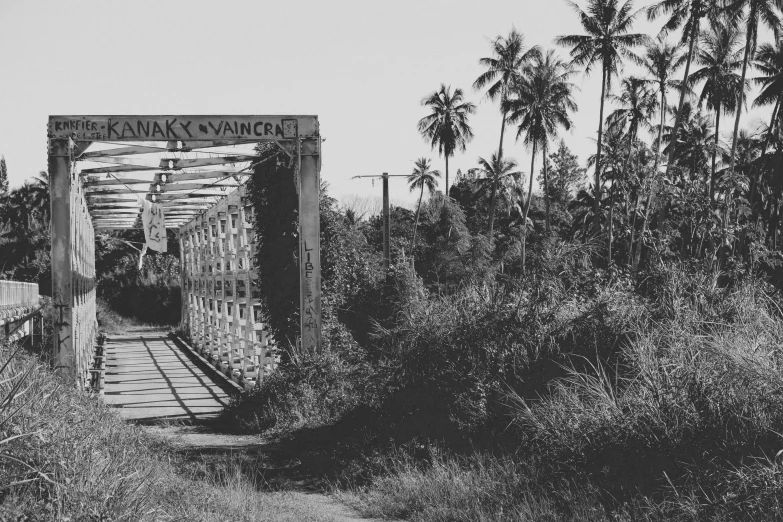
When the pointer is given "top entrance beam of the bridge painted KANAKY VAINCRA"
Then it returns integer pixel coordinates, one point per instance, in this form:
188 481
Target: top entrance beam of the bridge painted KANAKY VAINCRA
181 128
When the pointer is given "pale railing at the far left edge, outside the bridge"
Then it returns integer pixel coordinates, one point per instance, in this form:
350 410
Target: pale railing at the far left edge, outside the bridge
19 306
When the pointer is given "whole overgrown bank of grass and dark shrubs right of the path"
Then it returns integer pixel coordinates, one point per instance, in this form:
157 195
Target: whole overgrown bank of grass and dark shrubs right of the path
650 398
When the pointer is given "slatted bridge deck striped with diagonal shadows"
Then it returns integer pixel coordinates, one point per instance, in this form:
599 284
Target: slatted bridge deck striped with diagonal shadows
151 379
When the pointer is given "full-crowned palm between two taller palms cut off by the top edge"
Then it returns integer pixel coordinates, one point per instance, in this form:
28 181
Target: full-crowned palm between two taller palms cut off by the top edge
721 56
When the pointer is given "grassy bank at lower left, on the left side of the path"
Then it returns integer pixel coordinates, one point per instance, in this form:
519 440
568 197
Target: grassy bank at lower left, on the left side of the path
64 456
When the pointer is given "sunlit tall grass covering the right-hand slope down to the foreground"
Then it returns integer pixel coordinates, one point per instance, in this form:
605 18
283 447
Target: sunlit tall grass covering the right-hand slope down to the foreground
687 425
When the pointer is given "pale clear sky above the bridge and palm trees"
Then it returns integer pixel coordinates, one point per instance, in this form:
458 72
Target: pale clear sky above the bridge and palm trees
361 66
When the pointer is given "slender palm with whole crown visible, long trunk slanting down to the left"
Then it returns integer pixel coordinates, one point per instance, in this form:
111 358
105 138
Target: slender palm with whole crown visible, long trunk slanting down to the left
661 61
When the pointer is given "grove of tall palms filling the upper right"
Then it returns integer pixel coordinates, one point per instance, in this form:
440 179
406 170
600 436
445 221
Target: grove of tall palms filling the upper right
673 173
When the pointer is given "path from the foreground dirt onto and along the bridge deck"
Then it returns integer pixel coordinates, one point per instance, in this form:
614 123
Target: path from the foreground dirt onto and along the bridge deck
176 396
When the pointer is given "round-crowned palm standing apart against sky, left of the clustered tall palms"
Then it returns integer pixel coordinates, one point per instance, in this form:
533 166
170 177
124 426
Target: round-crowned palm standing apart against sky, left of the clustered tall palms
447 126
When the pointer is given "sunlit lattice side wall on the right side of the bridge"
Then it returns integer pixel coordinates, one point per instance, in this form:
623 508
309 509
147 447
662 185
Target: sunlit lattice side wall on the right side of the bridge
220 296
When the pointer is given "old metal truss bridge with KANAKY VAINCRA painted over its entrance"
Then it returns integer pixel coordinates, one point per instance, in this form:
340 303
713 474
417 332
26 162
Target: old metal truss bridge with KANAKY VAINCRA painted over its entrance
187 173
